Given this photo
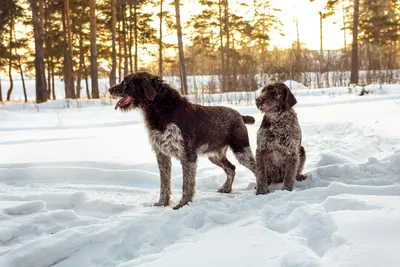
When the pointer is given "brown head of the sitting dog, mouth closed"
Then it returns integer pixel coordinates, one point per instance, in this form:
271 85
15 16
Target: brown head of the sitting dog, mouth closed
275 97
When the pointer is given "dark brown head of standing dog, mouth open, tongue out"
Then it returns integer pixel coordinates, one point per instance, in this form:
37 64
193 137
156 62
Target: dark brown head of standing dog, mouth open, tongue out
136 90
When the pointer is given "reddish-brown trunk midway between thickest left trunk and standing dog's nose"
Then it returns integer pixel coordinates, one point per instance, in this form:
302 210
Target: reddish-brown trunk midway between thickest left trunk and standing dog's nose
68 69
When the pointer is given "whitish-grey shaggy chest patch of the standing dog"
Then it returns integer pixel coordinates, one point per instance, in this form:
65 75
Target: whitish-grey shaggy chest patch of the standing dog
168 142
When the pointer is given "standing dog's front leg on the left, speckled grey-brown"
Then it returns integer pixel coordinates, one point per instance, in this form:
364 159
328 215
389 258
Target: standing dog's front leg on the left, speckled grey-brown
164 166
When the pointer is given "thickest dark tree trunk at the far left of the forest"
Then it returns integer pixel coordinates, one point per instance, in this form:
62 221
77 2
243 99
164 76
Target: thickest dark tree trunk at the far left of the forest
38 18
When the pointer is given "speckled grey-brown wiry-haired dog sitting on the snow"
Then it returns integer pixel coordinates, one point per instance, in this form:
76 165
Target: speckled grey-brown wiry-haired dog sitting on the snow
280 156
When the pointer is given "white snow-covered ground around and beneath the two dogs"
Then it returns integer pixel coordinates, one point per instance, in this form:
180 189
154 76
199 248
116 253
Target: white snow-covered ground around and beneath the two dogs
77 185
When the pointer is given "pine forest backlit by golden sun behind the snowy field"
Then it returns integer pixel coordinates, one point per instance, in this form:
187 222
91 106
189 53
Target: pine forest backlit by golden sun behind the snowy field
80 42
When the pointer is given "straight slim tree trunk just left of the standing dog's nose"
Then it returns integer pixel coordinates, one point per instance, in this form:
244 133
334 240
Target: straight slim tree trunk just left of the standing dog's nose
93 51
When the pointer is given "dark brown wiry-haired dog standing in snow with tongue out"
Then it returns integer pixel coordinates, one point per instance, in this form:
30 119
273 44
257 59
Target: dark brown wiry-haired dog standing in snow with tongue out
180 129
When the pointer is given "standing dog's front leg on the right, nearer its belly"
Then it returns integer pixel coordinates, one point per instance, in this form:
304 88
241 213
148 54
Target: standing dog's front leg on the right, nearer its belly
189 180
